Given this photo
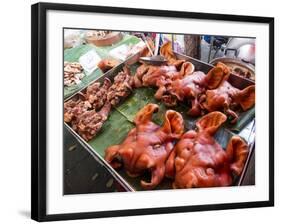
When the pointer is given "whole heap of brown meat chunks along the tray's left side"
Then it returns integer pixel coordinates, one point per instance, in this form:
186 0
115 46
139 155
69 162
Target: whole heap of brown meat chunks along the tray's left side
87 112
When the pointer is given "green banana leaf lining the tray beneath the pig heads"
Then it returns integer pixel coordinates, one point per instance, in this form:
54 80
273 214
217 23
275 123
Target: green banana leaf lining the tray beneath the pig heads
120 122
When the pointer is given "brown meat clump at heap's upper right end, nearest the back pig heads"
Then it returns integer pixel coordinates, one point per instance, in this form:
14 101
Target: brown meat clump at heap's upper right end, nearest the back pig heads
121 87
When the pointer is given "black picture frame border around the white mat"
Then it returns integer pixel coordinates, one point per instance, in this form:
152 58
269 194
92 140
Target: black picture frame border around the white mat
38 108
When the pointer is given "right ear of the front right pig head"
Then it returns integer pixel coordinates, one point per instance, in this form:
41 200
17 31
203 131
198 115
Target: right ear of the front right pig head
237 151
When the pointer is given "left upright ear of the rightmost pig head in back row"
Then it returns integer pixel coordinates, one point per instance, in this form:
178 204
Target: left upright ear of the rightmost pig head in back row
217 75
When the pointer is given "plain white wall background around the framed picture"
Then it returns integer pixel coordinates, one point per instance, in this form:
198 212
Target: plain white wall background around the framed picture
15 110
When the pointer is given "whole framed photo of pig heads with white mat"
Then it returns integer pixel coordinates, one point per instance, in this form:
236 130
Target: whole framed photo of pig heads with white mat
139 111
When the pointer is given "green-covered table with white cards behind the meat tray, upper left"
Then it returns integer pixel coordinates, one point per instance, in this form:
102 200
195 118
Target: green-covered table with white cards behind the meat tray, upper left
96 60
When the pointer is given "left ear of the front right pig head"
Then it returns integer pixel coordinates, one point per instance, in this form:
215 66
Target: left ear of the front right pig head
211 122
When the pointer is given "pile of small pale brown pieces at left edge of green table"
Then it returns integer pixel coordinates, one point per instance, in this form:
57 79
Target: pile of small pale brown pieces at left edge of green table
72 73
